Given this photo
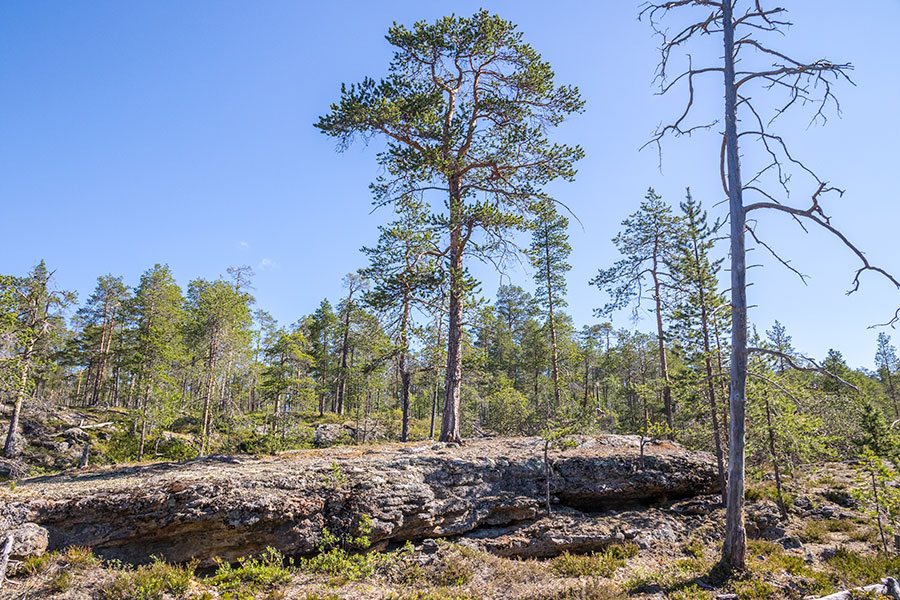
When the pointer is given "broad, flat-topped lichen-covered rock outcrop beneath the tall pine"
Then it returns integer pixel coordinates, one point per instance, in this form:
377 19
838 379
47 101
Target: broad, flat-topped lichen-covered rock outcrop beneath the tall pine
228 507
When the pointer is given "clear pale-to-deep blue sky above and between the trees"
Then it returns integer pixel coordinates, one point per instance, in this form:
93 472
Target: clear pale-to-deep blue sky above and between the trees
181 133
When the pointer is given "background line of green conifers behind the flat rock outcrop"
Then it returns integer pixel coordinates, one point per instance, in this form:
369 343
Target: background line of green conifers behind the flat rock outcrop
206 358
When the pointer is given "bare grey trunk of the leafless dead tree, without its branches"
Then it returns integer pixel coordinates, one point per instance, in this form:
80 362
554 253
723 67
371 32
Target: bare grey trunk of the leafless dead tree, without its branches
734 549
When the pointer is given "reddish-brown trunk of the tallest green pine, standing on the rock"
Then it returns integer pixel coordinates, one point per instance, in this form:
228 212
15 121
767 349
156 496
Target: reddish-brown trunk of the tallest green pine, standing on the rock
450 426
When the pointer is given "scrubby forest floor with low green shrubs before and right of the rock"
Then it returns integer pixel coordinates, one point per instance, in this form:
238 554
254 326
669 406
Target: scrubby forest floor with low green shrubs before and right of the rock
826 544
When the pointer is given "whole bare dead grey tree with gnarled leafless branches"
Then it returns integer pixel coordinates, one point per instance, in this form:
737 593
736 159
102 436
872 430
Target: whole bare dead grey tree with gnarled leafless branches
750 65
